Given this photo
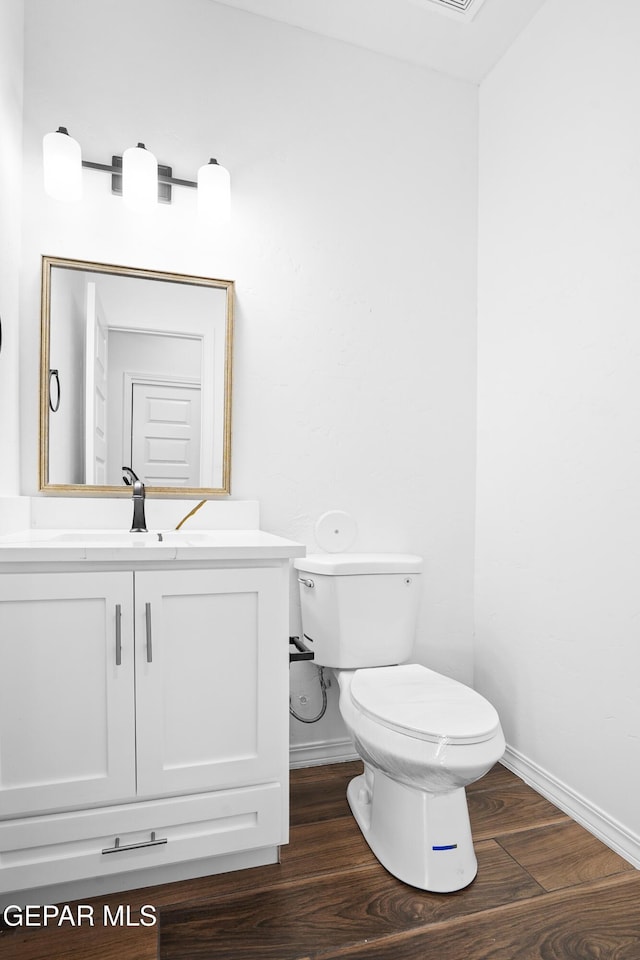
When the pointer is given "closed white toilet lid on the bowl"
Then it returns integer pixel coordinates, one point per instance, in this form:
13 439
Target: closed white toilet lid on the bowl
423 704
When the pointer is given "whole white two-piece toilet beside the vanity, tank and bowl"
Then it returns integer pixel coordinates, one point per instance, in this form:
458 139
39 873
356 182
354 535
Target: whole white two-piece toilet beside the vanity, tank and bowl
422 736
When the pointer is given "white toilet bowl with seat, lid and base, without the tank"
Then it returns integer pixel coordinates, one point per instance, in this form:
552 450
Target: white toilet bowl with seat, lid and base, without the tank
410 803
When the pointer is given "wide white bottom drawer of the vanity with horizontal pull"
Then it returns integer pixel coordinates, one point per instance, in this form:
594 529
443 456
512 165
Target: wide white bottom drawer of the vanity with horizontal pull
39 851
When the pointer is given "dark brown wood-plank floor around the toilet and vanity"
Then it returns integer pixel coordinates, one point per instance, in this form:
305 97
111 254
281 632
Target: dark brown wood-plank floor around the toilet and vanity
546 890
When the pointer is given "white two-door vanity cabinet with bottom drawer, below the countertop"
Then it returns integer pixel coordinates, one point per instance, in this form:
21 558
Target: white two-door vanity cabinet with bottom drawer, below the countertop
143 725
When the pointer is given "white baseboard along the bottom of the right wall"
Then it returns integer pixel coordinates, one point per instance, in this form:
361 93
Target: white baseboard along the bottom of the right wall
593 819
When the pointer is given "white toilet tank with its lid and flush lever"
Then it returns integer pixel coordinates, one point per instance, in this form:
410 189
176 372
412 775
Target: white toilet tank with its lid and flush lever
359 610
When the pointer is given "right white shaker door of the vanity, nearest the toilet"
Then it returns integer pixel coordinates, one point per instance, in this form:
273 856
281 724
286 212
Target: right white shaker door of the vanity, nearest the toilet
211 678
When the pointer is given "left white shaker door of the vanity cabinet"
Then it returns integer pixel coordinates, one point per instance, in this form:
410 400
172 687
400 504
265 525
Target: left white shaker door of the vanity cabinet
66 693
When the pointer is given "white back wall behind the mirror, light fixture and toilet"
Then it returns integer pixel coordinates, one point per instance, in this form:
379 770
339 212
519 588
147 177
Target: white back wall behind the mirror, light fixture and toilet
353 245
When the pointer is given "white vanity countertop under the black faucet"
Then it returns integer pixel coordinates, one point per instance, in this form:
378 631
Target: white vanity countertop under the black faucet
55 546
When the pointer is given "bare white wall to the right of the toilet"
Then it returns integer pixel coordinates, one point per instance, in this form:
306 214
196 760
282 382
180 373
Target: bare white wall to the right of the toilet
558 503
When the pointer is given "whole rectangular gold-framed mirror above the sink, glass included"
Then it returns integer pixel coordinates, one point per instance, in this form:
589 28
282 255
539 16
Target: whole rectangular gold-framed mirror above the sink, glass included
136 372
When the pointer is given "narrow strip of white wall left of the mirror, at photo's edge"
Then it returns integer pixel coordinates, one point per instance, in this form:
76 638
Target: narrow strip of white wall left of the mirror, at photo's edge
11 60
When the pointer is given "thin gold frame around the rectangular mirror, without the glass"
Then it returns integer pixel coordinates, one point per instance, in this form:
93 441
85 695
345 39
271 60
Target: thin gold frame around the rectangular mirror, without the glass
48 402
